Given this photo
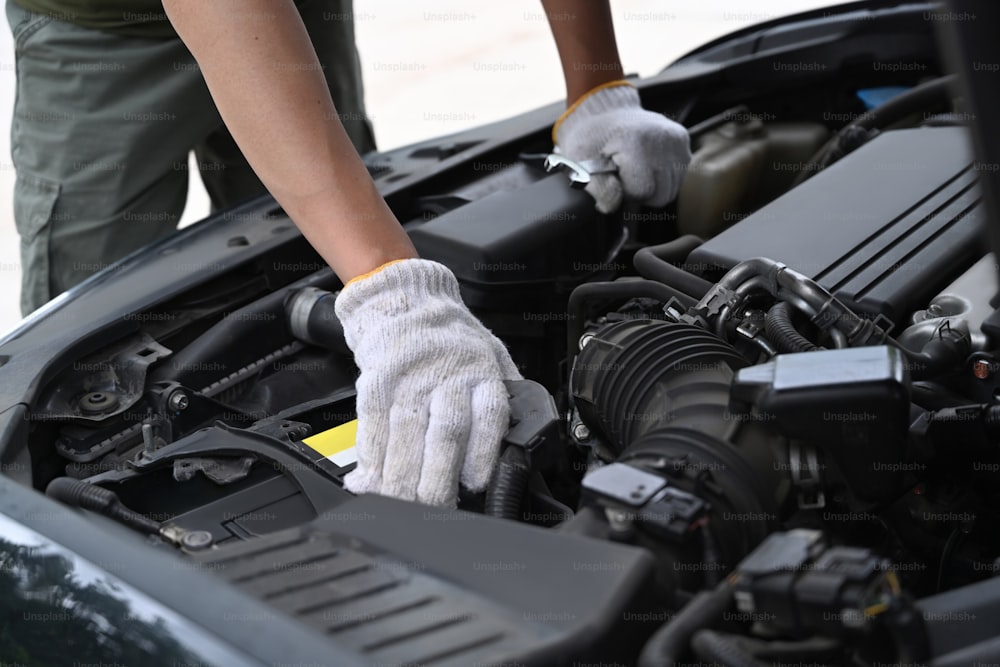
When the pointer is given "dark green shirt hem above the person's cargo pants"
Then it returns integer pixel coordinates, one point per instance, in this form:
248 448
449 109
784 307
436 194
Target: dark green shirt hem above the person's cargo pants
138 18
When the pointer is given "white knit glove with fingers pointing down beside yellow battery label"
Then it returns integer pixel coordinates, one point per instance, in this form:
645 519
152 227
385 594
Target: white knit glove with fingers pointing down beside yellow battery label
431 401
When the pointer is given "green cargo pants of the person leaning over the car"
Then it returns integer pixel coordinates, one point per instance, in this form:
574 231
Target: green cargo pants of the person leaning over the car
102 128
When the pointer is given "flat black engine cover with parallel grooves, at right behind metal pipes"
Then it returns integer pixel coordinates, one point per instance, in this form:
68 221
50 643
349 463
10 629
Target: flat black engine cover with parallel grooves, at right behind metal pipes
884 229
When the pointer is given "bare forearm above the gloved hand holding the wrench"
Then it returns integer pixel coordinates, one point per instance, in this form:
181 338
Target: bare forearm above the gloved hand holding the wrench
585 38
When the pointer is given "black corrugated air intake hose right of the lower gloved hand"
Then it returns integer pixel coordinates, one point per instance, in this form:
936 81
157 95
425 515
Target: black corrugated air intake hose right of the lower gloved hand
657 393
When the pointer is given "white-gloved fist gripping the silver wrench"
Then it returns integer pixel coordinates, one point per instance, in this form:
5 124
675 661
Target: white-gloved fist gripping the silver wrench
651 151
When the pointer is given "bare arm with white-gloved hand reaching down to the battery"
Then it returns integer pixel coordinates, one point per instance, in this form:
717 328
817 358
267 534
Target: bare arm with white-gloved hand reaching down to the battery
431 403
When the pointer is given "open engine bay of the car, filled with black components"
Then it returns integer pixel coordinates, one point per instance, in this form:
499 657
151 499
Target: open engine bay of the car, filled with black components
758 427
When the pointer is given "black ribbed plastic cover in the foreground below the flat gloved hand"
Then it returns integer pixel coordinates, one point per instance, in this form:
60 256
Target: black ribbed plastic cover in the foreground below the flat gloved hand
402 583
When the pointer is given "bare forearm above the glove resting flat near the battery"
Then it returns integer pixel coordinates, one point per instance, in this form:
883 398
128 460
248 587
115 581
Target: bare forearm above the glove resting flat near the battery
268 85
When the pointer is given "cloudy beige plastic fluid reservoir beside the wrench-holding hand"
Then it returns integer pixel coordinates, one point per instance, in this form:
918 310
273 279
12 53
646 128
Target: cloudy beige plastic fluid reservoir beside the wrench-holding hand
740 166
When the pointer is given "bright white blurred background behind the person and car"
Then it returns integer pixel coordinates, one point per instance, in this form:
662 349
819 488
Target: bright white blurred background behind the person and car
438 67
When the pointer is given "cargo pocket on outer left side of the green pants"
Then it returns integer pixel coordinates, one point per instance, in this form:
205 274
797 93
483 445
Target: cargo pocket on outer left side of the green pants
34 204
